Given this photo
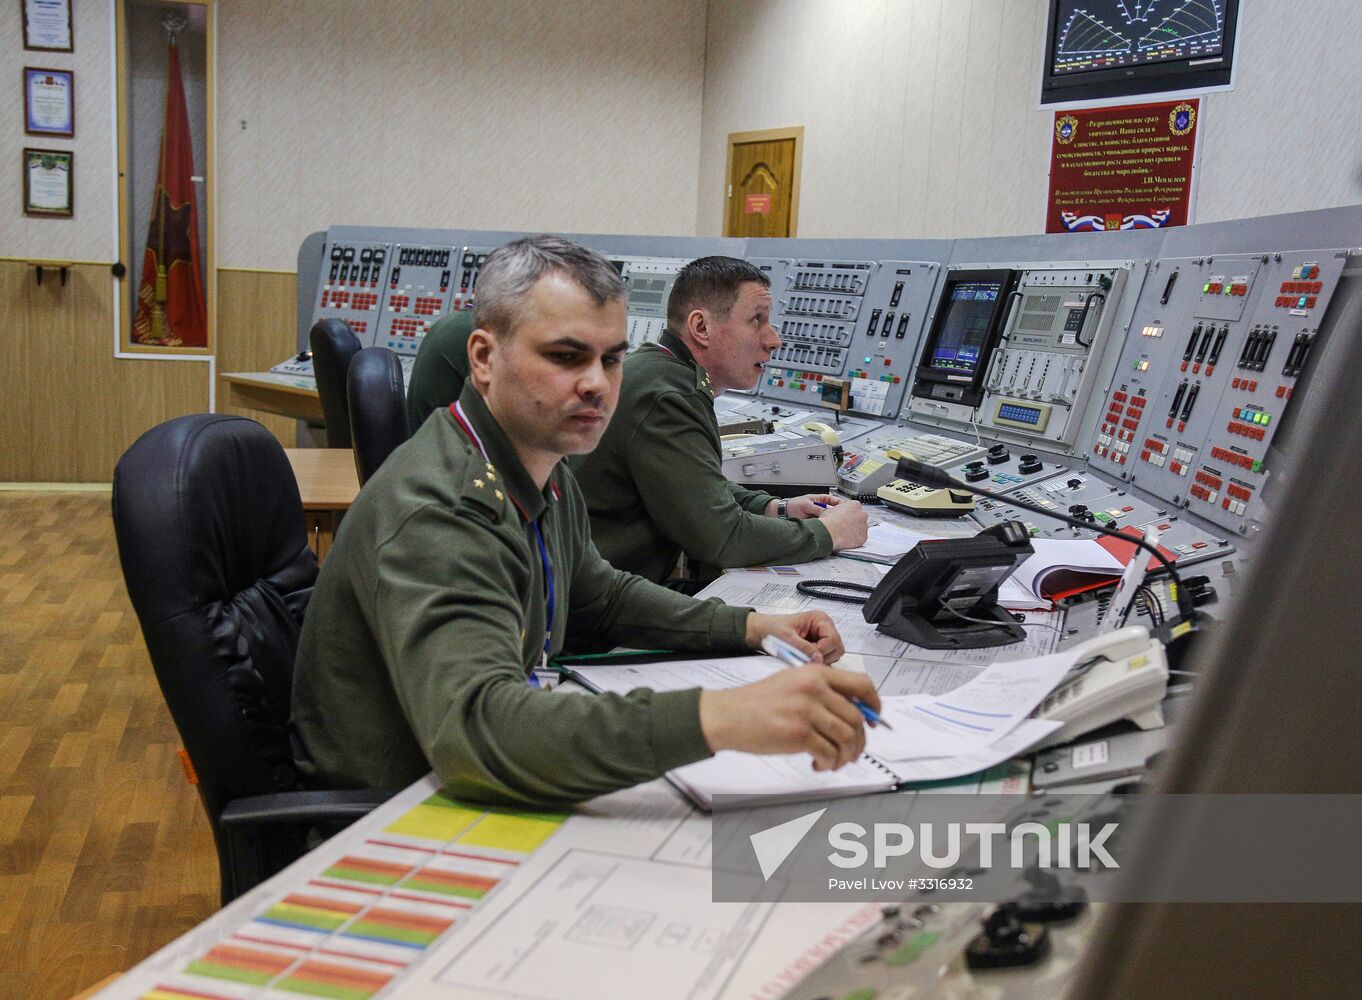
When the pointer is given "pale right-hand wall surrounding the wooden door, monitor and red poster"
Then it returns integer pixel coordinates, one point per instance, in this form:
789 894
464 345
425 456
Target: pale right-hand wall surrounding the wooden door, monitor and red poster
921 115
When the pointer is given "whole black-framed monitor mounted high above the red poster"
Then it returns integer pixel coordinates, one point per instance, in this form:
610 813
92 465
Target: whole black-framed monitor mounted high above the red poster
1120 48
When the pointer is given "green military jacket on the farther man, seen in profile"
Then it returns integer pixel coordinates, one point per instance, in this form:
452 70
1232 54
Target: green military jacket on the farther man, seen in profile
656 484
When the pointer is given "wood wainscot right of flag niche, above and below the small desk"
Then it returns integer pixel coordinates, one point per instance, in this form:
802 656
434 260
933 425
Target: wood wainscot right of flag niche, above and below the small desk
257 329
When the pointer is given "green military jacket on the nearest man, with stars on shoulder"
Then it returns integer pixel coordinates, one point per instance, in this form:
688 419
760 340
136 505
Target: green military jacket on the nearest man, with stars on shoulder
432 608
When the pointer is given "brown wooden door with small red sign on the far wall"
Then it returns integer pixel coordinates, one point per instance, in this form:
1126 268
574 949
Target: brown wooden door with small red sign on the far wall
763 183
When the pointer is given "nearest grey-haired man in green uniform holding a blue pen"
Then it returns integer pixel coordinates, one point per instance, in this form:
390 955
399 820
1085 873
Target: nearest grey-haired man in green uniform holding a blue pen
468 561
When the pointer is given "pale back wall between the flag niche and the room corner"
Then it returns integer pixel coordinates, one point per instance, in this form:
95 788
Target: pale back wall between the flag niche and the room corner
460 114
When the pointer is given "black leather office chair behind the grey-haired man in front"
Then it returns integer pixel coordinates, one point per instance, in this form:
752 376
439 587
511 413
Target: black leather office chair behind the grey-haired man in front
215 552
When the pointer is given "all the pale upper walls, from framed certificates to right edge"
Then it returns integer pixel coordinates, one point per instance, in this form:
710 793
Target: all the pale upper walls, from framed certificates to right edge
920 116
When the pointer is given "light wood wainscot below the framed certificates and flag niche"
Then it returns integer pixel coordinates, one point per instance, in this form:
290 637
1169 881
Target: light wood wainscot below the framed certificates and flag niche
69 409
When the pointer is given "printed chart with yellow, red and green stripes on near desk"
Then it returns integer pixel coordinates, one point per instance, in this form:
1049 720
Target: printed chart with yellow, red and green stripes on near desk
371 912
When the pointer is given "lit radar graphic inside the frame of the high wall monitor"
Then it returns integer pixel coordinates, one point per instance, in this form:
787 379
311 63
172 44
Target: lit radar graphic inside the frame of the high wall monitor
1103 35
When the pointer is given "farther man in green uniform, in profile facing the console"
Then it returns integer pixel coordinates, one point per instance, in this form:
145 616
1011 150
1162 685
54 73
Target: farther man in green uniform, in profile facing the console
656 486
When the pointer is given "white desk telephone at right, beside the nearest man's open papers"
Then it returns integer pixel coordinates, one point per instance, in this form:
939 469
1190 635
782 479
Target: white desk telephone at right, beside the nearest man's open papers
1127 679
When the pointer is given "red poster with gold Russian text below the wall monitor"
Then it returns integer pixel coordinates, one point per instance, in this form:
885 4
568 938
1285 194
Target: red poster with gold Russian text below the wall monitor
1123 168
